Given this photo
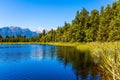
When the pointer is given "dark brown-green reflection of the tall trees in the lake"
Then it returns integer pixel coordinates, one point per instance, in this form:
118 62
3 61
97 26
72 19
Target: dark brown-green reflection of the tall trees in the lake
82 62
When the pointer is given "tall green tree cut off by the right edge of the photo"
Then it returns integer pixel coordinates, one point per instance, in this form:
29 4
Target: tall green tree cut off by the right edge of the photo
114 33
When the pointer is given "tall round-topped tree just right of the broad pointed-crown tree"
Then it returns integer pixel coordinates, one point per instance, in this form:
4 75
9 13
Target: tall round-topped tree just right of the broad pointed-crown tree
91 33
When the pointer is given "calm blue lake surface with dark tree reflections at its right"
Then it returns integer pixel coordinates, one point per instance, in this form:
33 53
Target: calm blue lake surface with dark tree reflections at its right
44 62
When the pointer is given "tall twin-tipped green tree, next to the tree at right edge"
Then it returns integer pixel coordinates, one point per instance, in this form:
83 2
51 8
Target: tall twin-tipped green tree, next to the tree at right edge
105 19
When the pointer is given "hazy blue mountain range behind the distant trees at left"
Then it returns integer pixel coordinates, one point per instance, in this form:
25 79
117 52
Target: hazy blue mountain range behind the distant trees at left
14 31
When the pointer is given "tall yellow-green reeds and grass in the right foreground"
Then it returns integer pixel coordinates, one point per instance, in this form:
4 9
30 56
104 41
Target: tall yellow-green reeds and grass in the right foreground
109 55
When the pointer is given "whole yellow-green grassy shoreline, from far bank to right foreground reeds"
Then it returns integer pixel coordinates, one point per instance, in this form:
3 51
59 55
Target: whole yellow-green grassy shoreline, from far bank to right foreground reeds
107 52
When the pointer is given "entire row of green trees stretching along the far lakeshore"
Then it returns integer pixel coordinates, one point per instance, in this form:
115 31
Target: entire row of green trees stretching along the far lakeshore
103 25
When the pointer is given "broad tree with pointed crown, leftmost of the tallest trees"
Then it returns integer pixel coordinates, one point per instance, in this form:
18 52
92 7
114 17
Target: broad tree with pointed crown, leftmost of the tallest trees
81 21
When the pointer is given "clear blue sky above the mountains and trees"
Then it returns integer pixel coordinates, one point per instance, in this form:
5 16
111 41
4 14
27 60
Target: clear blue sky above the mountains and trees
39 14
